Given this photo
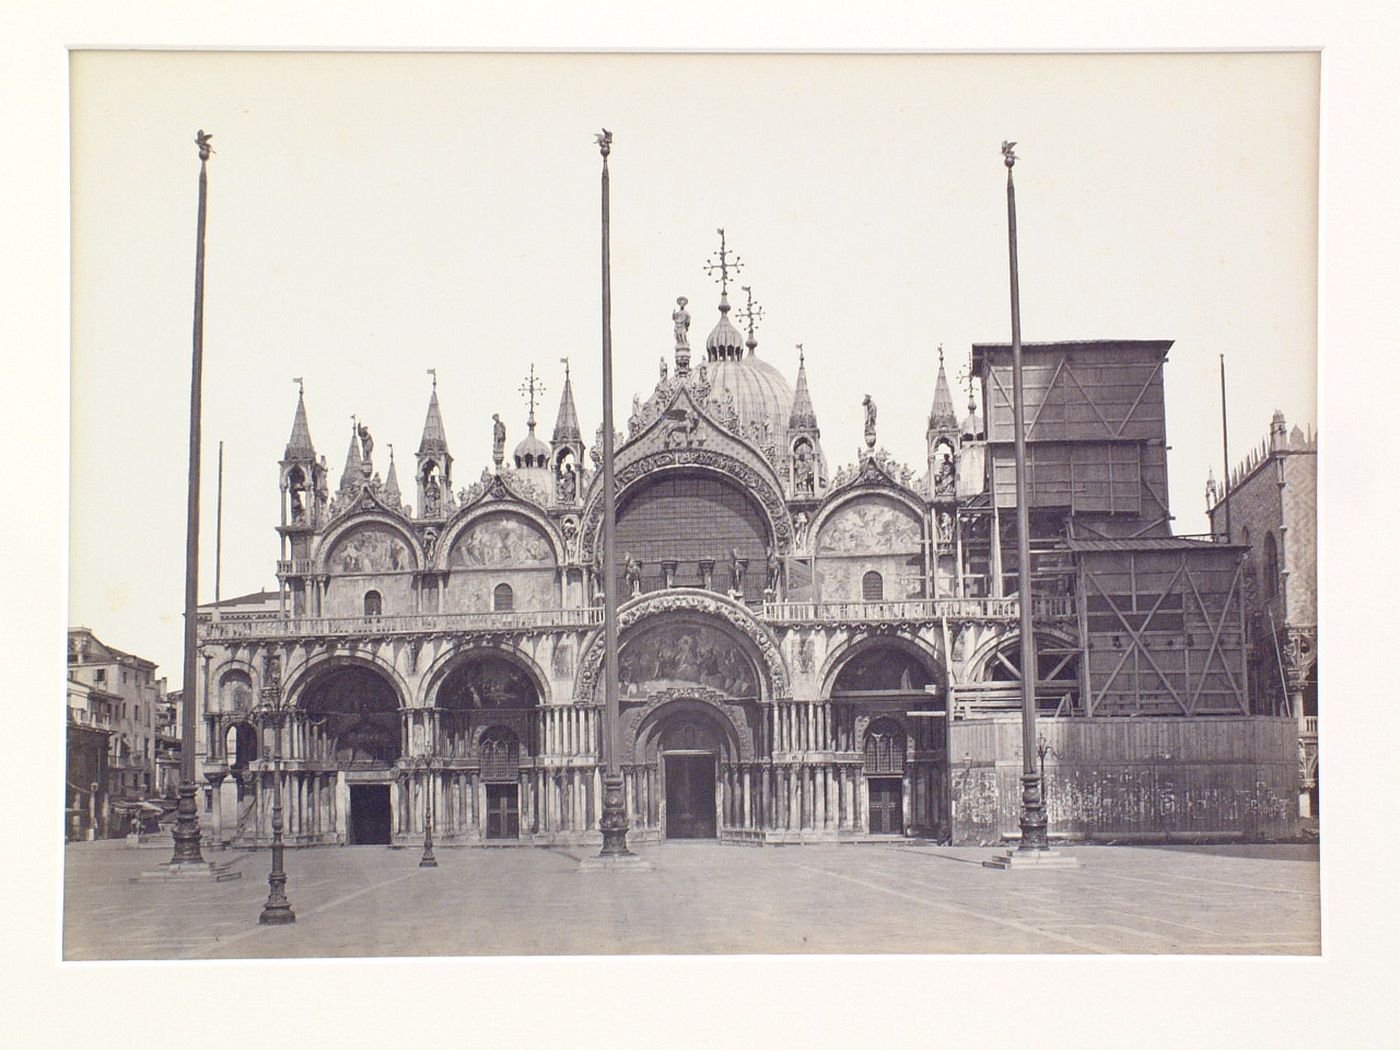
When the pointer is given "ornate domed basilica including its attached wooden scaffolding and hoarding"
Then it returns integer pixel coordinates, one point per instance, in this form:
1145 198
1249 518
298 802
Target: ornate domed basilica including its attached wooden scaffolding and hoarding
806 654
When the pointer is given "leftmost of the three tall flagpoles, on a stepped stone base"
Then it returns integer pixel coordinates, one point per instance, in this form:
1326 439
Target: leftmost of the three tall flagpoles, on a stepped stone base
187 821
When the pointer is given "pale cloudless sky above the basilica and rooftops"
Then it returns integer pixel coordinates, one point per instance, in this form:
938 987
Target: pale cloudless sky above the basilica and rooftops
374 216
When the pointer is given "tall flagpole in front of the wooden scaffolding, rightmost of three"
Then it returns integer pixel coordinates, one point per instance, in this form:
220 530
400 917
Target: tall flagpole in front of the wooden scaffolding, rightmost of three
1032 801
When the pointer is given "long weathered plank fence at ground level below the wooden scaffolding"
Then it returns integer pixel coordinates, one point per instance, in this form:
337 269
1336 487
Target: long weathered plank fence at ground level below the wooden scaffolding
1130 779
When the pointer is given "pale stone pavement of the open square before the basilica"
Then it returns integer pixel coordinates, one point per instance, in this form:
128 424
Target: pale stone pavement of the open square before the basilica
702 898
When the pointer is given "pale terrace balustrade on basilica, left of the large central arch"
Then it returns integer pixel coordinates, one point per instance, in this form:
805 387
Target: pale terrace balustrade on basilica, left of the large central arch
412 624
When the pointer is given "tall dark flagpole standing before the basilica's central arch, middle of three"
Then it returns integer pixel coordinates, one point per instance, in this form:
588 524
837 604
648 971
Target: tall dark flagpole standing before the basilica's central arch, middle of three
614 820
